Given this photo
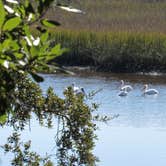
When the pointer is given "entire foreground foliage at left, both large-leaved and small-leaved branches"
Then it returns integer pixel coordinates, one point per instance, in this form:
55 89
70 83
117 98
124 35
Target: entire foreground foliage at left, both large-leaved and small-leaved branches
22 53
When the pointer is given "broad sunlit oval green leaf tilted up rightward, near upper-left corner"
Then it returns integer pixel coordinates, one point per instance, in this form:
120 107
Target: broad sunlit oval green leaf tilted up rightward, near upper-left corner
11 23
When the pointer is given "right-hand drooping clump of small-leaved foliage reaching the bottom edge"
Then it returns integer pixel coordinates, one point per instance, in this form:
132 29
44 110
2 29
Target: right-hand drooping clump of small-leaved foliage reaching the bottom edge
75 136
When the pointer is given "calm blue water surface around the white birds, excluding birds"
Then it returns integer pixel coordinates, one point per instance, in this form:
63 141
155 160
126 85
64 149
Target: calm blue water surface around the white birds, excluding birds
136 138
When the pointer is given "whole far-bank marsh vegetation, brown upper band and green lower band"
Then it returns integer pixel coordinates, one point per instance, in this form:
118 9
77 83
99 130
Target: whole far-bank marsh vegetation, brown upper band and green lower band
119 36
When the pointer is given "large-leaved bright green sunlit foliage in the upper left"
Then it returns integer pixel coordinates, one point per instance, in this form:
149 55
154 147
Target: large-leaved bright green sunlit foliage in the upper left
21 52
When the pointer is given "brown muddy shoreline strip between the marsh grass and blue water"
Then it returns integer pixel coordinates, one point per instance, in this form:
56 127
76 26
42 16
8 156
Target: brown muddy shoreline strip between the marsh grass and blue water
85 72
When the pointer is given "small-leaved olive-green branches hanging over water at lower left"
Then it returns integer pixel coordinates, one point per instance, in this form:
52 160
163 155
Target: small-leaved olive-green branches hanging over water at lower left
75 135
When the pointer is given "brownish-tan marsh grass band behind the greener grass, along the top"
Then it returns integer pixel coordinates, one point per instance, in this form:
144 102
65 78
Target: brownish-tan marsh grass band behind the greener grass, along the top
114 15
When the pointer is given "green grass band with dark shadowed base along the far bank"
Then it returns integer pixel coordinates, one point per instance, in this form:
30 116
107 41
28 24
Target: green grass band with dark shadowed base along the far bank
118 52
